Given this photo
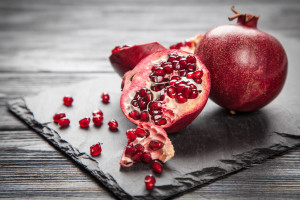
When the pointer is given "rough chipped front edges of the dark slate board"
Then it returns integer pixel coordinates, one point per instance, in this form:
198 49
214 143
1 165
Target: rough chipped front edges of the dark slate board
183 184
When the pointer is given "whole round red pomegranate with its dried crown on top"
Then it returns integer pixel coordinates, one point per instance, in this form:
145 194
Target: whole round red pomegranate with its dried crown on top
248 67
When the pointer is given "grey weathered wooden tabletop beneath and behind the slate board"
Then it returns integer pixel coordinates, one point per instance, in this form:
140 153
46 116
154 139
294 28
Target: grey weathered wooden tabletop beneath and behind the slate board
59 42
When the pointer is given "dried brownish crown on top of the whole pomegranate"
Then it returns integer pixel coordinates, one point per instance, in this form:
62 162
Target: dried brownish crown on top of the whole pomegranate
244 19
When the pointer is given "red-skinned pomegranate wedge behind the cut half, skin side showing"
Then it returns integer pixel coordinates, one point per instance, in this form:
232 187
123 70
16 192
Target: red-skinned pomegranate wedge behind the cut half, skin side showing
126 58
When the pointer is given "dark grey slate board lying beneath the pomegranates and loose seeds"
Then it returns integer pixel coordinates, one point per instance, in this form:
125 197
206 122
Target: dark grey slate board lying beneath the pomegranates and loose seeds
215 145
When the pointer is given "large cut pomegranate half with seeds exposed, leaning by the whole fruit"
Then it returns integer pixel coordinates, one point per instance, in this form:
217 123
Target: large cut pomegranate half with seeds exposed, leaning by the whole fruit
168 88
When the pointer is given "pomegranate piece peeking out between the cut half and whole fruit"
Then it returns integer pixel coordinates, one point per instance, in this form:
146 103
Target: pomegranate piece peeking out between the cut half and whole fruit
189 45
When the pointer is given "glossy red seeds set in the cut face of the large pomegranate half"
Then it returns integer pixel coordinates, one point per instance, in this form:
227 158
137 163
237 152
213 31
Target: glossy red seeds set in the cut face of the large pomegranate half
176 77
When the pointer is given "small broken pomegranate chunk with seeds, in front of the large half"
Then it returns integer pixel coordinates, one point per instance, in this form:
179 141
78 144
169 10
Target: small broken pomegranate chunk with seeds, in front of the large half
151 143
